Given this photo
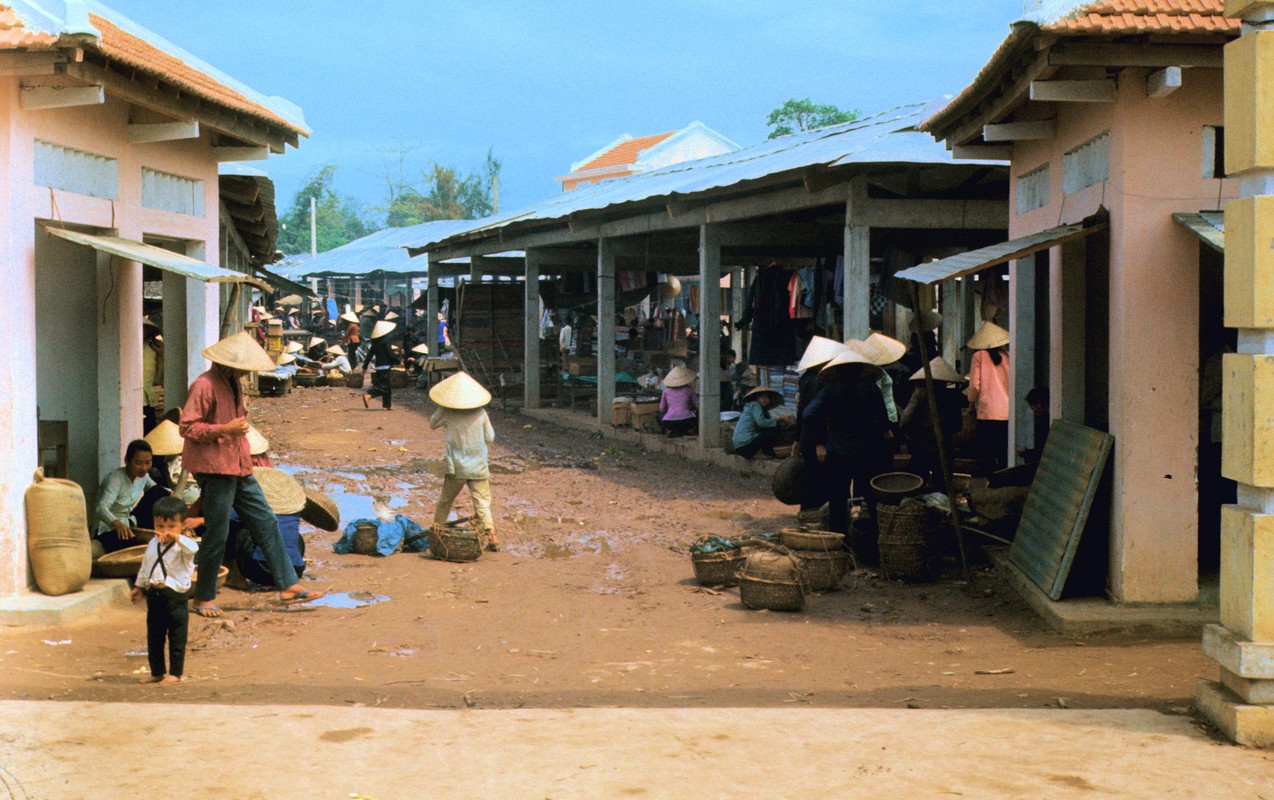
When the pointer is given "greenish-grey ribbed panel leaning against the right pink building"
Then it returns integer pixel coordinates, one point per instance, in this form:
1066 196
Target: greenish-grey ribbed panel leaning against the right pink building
1058 506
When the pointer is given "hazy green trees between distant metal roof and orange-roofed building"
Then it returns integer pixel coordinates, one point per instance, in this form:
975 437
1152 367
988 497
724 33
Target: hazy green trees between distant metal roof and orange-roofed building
445 196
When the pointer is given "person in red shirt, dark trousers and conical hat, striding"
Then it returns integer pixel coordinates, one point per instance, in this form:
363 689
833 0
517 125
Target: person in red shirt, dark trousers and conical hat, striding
215 425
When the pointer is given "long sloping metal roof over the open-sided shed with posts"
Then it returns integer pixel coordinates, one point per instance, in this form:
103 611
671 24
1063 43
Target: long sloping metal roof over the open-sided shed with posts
890 138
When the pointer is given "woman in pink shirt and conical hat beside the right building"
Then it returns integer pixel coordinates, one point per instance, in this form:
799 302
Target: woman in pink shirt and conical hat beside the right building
989 394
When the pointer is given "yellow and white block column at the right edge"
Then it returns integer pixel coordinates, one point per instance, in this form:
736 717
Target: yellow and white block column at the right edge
1243 703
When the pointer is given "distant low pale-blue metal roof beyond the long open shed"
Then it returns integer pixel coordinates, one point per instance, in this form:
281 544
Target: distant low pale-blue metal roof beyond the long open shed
383 252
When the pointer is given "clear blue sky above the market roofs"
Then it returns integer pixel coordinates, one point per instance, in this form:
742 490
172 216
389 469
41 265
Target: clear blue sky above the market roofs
547 83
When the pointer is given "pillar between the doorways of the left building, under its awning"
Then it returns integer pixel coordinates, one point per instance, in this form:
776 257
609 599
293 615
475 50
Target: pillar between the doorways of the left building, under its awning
119 360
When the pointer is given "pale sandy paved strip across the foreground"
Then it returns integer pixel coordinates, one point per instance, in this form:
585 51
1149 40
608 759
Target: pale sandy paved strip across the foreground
67 751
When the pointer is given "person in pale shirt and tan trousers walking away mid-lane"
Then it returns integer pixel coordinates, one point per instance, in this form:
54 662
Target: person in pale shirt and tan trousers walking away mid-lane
468 429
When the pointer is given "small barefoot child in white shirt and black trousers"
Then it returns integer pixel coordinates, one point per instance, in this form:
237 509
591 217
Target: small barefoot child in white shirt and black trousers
165 582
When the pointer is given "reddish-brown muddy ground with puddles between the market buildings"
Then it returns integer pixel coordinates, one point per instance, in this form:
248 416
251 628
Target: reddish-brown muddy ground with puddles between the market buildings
592 603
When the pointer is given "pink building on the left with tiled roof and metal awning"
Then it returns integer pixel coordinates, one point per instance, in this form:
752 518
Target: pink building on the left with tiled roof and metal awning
111 155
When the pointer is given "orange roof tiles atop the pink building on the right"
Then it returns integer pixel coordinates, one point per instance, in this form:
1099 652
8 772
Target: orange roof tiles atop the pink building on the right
1132 17
